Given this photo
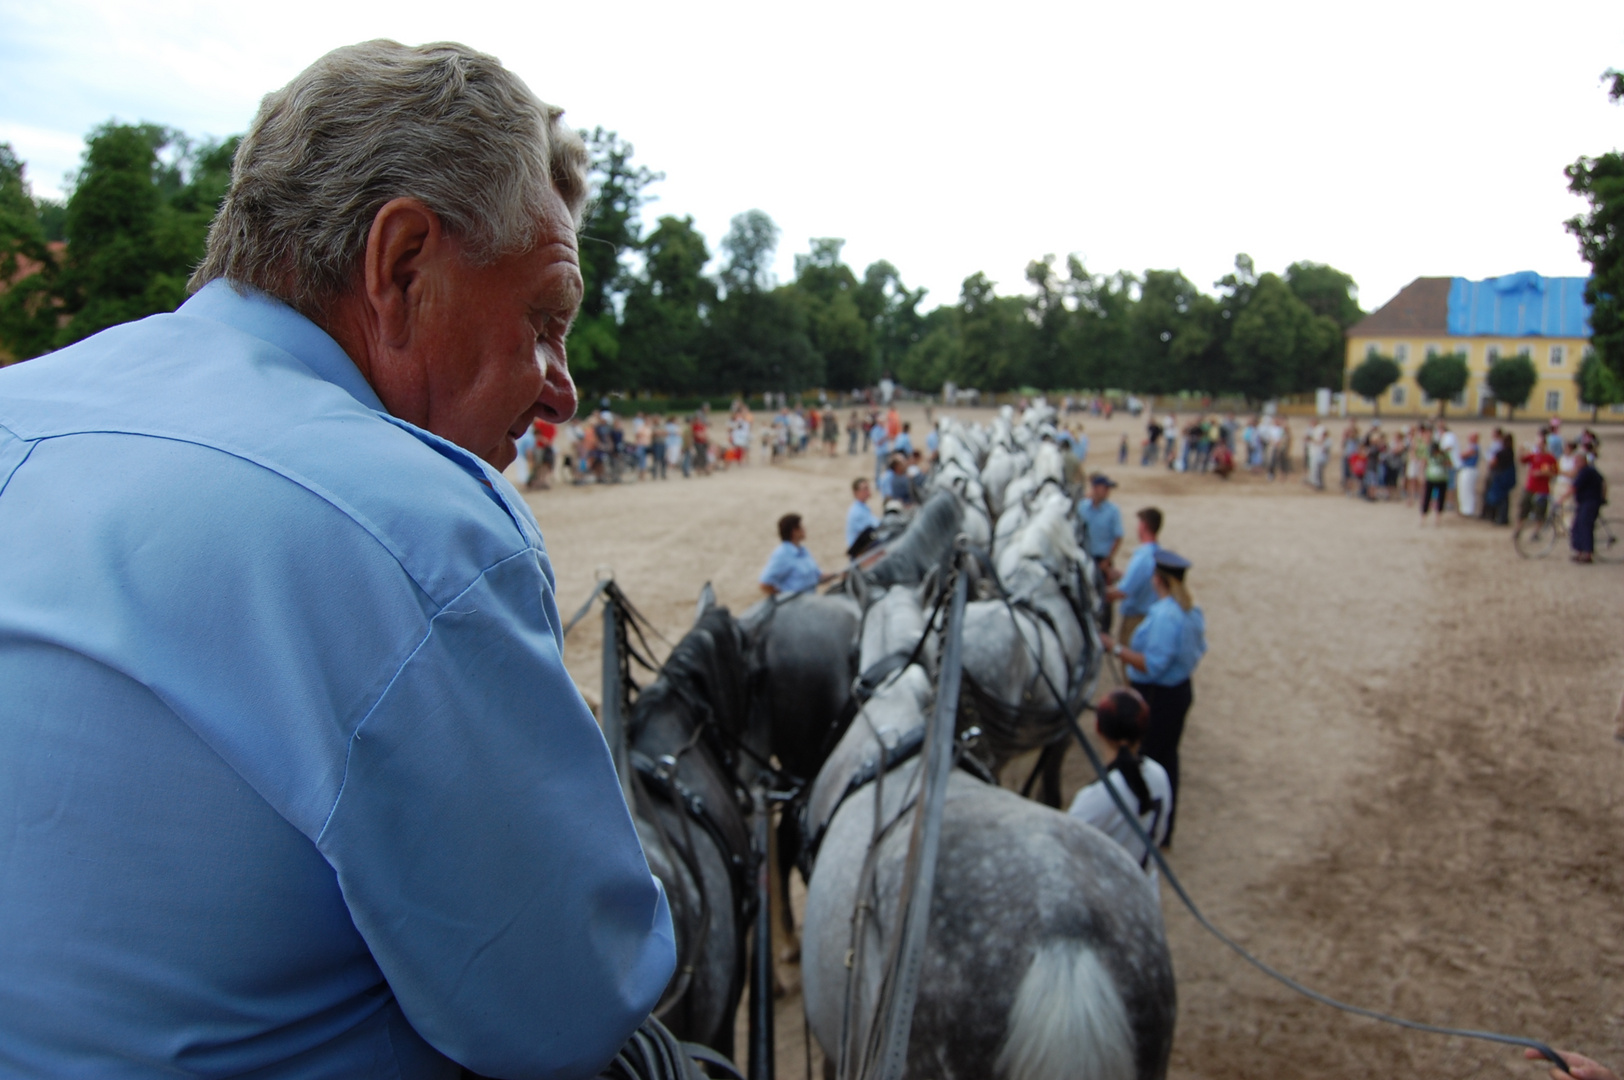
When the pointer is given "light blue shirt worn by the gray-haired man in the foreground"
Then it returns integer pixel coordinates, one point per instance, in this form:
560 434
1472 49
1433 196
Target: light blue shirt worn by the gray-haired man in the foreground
293 780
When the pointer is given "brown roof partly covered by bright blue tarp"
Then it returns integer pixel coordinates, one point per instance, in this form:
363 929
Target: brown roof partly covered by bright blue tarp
1511 306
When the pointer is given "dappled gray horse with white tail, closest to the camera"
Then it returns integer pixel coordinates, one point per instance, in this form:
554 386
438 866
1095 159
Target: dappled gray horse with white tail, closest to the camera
1045 954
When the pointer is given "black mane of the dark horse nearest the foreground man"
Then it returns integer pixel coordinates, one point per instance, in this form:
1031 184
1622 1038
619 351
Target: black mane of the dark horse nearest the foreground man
707 670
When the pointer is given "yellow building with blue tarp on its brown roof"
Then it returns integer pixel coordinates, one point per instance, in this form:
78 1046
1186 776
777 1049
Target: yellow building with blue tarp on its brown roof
1544 319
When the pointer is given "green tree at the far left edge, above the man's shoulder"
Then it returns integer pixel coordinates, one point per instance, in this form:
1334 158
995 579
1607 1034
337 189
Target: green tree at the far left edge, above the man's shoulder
28 270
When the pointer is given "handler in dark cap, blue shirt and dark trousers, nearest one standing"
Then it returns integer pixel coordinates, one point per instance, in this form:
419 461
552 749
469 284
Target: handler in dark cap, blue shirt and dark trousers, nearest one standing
1165 652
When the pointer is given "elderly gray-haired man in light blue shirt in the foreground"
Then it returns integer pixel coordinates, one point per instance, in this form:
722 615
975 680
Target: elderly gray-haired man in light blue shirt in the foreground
295 780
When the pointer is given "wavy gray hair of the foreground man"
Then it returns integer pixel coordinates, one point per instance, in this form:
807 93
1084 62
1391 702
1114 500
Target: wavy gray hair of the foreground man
379 121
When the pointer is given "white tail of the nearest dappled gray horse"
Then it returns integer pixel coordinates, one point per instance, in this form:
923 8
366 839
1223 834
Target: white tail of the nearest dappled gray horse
1068 1021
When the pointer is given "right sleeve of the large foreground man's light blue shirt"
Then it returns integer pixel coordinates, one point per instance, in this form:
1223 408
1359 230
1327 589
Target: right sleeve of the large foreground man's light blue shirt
486 853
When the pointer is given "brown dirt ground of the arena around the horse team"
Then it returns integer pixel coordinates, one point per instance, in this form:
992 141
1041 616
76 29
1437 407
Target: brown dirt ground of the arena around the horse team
1402 782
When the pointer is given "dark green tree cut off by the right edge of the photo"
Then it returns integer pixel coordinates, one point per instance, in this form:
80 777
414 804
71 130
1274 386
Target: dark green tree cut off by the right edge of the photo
1600 181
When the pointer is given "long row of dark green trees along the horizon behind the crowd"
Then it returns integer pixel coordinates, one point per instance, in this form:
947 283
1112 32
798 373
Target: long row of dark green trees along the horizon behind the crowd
665 314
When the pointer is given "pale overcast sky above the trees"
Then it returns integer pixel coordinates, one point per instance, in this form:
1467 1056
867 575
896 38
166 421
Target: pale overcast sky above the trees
1389 140
